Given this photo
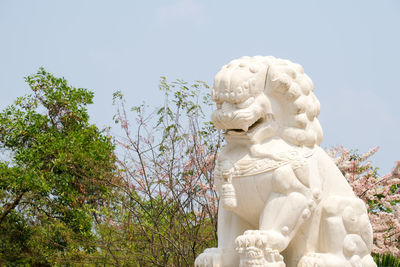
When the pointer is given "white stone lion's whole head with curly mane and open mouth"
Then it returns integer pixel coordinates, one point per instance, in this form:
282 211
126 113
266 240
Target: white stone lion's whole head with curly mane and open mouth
260 97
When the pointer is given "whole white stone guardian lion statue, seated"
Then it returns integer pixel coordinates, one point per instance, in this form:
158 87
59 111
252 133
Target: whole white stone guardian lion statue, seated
283 202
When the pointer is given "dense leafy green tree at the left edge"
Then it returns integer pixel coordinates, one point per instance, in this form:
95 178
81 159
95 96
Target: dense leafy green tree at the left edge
55 174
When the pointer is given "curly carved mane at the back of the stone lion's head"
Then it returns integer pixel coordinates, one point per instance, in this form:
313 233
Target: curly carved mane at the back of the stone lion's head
287 83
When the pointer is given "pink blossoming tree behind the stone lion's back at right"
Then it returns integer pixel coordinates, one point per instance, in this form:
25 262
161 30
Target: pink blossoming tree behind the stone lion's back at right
381 195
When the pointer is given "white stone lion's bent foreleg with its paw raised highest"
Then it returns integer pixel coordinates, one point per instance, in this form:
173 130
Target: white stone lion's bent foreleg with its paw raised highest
287 208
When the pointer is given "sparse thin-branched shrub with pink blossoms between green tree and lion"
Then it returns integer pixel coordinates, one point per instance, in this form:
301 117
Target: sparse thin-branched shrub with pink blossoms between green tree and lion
167 160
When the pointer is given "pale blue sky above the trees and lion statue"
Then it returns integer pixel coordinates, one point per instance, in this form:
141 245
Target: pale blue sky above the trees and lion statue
350 49
